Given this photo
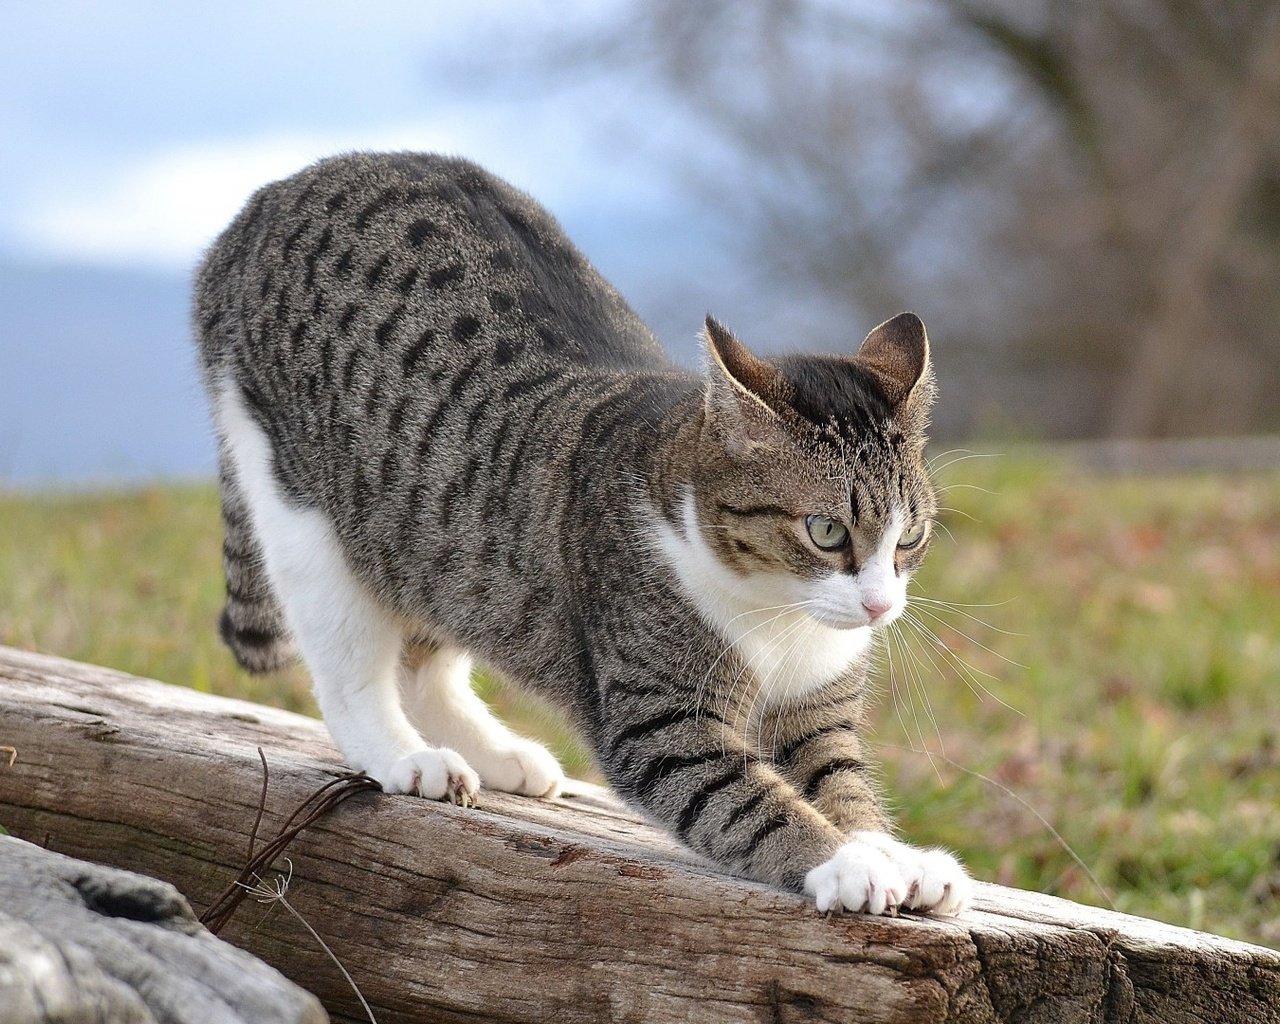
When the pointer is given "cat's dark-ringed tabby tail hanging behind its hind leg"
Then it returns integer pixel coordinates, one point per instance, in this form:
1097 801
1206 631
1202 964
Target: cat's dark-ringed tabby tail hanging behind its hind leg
253 623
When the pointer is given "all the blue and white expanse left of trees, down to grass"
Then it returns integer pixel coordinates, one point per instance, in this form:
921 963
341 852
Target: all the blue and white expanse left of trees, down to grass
132 132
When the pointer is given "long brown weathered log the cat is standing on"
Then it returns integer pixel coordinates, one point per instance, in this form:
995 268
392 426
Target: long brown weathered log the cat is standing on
573 911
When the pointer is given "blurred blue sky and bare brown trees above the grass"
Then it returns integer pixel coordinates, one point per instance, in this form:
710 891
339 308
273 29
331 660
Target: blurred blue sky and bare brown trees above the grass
1082 200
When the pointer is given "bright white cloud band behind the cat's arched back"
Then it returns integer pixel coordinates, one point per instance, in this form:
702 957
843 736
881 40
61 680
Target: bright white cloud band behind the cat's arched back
163 209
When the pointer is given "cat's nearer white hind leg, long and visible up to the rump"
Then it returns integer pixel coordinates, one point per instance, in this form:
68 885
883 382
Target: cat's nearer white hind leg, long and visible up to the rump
349 642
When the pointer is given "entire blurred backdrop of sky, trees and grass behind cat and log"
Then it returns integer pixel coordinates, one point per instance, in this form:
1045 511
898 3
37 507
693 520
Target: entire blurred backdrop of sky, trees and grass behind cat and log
1081 200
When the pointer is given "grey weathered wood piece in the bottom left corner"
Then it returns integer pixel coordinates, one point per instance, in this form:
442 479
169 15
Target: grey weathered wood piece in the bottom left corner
81 943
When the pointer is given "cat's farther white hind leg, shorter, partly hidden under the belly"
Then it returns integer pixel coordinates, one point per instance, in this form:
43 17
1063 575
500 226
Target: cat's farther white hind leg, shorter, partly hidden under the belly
441 702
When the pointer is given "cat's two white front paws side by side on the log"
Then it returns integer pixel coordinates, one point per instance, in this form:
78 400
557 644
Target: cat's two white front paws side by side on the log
875 874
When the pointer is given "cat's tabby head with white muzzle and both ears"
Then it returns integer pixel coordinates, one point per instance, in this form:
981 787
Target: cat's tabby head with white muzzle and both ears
812 484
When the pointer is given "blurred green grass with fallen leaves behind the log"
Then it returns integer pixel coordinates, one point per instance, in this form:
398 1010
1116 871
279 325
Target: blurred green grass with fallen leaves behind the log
1109 670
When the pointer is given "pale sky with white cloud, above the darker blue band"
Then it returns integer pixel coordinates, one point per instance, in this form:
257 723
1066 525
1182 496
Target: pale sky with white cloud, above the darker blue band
134 131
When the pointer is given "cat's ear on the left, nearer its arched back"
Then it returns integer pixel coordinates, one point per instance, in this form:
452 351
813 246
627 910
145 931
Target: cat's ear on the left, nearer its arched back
744 392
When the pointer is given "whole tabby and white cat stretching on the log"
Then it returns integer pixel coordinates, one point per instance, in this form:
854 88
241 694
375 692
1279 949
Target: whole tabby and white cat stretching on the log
444 437
